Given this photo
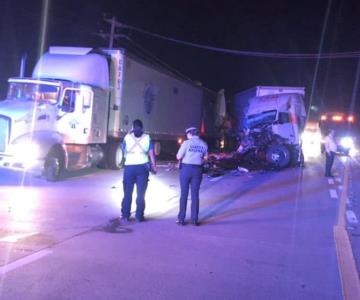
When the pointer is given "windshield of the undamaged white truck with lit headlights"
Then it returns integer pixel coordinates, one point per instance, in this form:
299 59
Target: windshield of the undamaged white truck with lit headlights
26 91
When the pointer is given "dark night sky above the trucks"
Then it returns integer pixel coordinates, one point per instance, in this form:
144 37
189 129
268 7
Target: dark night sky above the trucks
284 26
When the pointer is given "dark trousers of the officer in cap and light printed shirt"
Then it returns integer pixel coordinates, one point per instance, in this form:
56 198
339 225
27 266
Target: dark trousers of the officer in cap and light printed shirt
190 176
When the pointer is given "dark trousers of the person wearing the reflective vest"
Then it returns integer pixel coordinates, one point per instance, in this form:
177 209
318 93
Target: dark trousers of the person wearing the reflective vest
139 175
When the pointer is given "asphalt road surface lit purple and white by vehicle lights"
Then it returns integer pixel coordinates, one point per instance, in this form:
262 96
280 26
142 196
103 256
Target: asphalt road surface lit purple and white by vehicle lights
263 235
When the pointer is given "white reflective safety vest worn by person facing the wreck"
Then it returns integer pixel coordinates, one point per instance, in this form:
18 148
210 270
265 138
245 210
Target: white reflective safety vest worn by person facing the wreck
136 151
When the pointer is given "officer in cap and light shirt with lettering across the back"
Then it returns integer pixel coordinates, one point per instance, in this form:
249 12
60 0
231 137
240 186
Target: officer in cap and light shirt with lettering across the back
191 154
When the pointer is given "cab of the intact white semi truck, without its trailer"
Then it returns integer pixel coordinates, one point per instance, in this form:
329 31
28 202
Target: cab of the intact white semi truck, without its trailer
49 125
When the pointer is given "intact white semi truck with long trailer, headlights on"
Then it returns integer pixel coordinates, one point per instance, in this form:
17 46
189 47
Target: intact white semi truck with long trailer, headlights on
79 104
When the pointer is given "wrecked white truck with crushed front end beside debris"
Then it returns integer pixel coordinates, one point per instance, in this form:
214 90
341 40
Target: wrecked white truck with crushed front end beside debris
274 116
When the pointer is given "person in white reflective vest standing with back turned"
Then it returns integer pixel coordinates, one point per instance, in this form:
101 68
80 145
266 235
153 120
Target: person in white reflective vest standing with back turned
137 148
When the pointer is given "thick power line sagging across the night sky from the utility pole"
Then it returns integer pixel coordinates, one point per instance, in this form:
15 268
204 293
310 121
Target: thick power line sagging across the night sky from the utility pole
331 55
